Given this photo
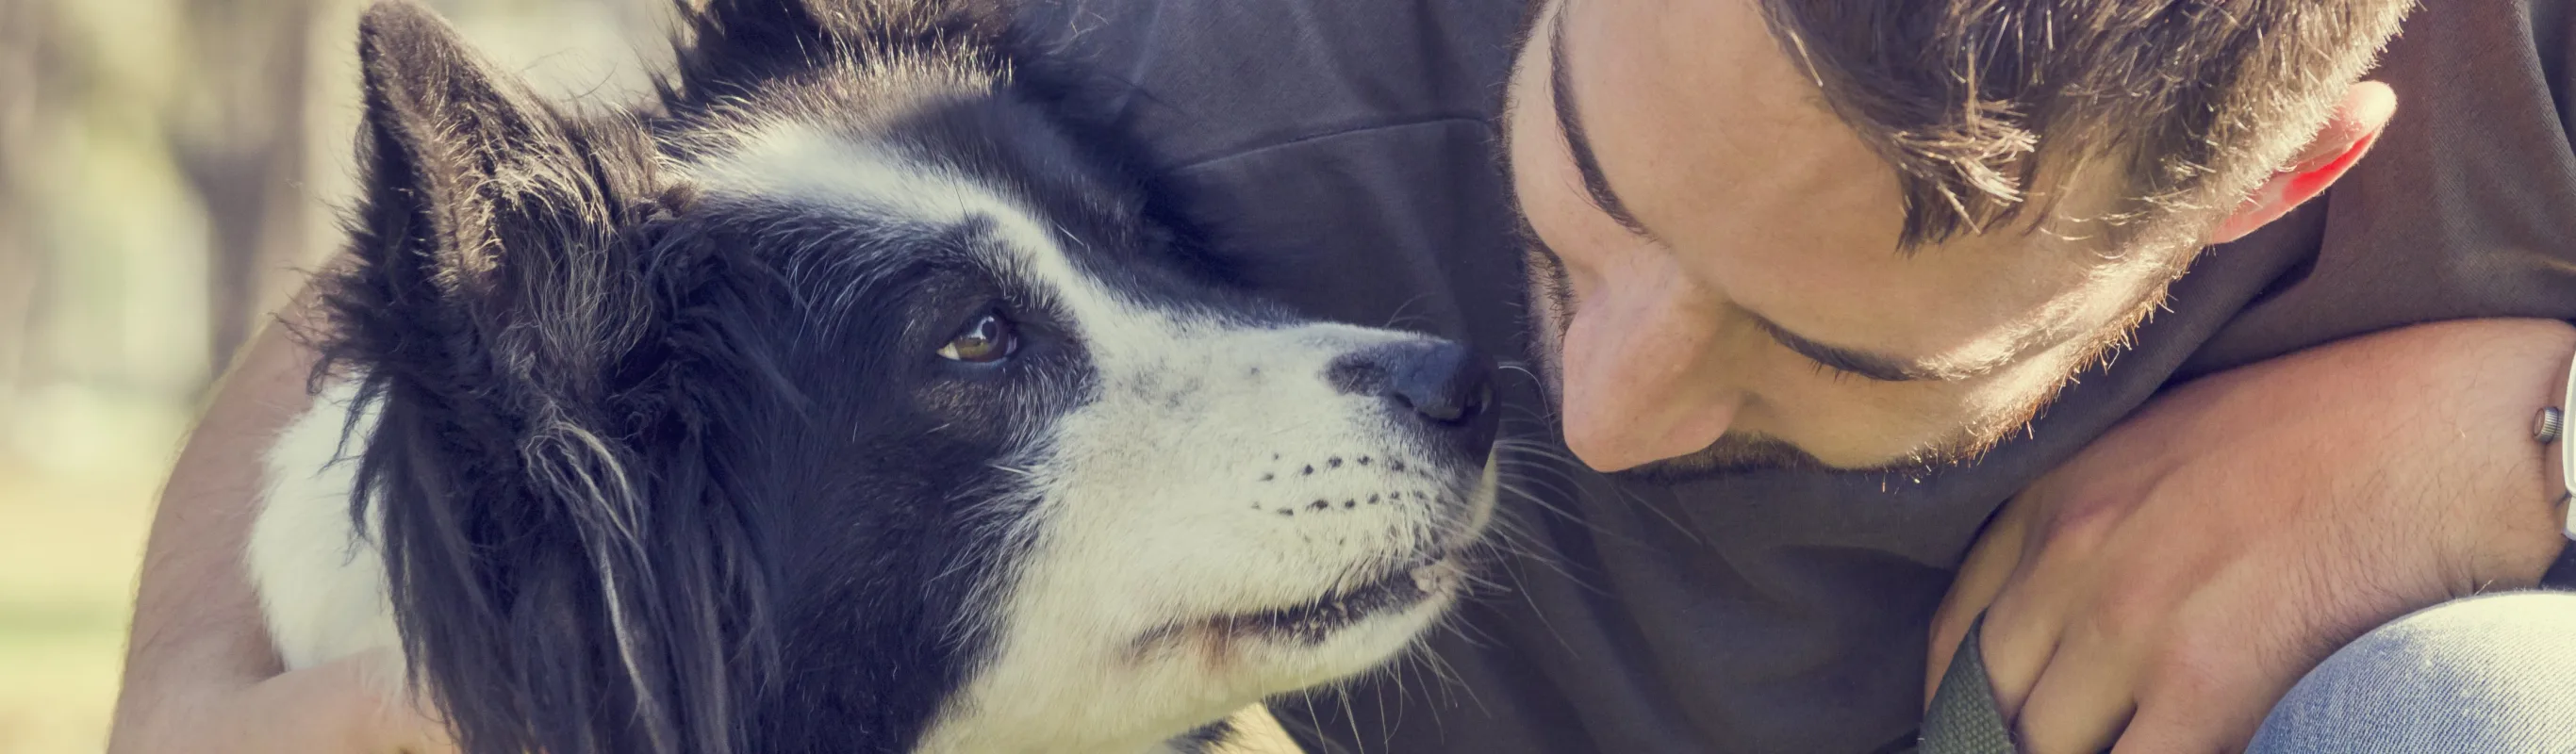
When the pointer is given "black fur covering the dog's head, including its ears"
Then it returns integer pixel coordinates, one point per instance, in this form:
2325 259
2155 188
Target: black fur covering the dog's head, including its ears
658 472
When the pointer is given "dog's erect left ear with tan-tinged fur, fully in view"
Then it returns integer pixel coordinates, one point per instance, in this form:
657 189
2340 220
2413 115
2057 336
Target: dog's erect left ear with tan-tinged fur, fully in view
491 212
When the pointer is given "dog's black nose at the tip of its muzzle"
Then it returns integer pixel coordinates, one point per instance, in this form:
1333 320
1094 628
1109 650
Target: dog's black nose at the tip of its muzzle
1444 387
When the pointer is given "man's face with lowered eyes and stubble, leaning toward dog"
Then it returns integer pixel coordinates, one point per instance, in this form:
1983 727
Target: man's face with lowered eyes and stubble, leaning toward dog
1717 271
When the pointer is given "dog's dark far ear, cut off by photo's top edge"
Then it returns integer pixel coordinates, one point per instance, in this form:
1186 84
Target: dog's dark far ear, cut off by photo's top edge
735 45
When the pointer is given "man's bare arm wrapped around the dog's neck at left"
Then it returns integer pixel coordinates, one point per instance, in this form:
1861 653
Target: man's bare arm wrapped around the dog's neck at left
200 665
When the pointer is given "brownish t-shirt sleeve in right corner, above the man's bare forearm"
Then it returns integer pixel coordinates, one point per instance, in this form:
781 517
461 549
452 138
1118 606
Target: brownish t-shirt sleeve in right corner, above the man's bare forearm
2467 207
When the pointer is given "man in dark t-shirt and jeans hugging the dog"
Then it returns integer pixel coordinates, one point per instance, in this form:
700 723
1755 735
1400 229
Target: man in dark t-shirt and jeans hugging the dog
1825 287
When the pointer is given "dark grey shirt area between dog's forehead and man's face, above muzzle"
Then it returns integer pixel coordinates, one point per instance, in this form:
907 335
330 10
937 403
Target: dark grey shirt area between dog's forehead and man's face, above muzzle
1338 153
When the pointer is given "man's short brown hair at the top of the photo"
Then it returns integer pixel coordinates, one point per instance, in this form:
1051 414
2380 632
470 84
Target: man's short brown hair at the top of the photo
2186 99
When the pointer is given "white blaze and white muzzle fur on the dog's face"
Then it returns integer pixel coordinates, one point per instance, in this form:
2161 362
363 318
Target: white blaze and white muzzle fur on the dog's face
1179 495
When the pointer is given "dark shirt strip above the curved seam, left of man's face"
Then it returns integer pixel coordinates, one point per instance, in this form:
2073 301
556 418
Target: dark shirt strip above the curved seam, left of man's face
1204 81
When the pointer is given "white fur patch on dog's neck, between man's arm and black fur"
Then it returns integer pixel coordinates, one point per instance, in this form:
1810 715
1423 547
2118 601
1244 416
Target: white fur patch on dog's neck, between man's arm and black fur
321 583
